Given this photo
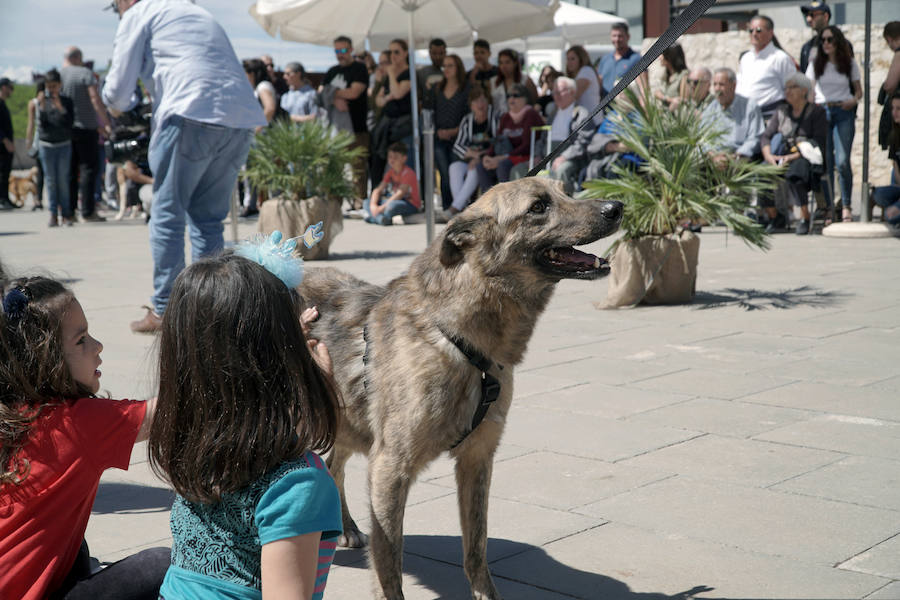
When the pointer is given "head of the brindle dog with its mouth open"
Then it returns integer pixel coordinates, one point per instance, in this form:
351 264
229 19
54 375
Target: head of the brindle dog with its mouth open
532 225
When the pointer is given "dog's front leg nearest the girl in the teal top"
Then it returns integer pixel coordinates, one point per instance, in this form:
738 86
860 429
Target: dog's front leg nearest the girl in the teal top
389 487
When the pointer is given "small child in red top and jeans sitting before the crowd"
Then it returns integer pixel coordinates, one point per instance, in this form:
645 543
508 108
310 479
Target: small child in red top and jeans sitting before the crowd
398 192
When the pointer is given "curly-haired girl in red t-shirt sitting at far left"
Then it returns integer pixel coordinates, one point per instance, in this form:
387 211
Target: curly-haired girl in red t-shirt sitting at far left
56 439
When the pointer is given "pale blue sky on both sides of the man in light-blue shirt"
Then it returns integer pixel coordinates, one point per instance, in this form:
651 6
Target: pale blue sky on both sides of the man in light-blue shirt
37 32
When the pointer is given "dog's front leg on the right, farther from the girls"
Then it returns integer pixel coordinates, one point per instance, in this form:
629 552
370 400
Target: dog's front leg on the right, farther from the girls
474 464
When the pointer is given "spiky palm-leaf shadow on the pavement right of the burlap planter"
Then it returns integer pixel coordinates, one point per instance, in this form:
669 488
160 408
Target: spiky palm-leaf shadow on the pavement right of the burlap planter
762 299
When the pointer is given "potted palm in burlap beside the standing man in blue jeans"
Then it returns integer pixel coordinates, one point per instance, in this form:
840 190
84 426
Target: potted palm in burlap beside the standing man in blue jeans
304 171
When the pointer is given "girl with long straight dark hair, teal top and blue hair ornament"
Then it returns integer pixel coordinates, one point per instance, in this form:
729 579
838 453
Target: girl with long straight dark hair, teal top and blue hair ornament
242 405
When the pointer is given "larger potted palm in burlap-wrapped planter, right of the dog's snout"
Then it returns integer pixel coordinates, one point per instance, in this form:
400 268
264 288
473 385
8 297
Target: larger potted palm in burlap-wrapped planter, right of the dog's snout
675 182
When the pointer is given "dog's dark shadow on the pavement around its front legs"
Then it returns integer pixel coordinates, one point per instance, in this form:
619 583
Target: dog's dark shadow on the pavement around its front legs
541 568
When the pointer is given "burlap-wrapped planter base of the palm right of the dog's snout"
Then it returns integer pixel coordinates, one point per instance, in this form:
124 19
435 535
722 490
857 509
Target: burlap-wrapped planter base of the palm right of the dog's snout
653 270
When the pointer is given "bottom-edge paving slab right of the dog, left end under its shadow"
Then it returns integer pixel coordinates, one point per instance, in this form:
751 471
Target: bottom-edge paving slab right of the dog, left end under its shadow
621 562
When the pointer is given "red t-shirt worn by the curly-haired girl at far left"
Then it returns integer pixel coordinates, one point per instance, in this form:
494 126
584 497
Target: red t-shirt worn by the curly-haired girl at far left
43 519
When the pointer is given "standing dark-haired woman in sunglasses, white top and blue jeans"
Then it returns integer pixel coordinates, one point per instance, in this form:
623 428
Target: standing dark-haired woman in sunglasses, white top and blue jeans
837 89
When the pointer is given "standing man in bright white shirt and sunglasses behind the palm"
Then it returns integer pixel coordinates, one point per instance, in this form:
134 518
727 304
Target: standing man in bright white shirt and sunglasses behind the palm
764 68
